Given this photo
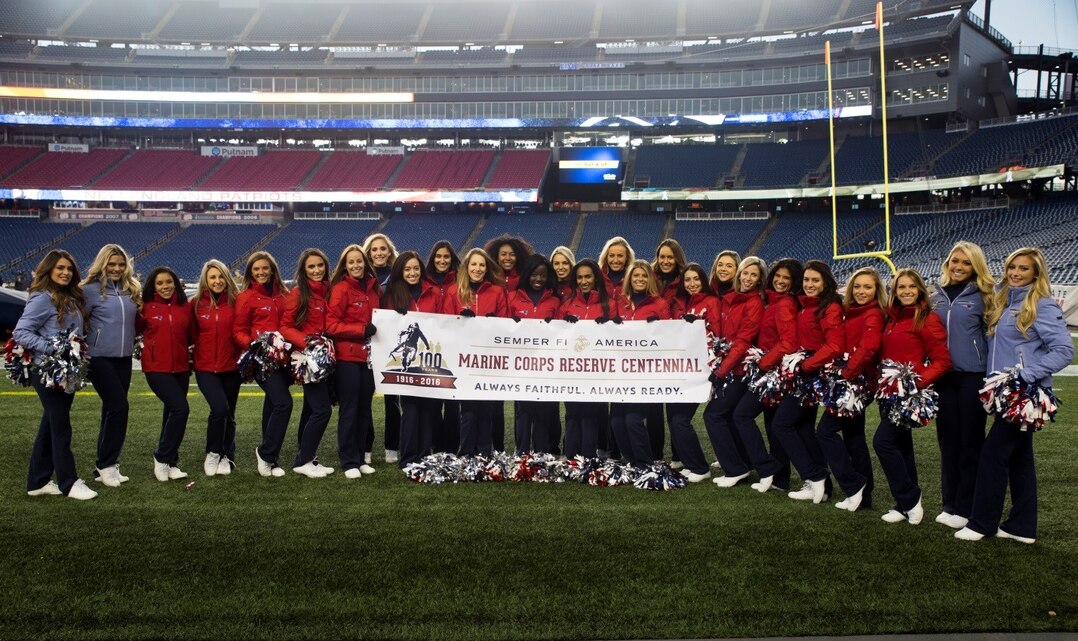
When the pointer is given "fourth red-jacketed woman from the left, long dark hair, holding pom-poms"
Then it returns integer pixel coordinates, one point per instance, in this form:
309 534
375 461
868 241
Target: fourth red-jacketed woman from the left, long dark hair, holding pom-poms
306 318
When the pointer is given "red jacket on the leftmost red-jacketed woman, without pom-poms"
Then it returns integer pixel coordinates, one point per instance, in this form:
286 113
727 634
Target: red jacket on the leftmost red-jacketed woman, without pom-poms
168 333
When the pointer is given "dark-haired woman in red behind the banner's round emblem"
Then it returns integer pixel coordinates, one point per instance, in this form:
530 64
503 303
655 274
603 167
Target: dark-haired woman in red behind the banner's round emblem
590 301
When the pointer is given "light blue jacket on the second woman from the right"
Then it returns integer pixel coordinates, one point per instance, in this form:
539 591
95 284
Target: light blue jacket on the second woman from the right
964 319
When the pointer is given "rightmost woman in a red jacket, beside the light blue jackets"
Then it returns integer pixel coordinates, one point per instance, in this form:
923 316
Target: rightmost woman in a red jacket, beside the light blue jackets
916 337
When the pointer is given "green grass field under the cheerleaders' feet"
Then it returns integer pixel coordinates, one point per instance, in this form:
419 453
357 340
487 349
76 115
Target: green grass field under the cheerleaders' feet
243 556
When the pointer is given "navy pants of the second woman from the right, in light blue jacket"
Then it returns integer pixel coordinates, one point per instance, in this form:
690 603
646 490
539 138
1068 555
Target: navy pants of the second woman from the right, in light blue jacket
960 430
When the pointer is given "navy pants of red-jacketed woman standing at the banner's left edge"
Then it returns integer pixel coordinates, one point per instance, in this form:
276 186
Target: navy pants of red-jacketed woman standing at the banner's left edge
355 391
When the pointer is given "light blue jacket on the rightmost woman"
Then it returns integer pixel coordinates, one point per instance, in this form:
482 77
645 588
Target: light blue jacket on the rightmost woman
1048 349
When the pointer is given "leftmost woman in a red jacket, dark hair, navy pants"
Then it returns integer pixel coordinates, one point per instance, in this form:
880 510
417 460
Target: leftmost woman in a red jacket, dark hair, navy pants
168 330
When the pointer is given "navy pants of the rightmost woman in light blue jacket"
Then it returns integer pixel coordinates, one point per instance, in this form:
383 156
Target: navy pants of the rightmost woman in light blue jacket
1006 458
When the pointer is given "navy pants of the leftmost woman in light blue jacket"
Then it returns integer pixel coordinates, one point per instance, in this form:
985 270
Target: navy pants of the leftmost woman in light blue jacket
52 447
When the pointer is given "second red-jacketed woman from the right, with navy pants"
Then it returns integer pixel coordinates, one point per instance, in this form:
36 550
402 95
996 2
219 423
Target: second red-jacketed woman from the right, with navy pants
842 439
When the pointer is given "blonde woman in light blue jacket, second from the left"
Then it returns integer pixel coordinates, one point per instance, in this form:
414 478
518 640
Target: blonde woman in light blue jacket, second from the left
113 301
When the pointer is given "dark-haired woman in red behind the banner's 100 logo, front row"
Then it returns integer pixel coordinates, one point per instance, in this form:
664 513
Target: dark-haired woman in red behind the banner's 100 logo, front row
408 290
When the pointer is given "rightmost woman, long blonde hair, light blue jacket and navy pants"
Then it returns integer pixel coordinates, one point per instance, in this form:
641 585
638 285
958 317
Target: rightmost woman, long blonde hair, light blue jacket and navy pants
1027 330
